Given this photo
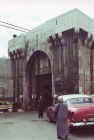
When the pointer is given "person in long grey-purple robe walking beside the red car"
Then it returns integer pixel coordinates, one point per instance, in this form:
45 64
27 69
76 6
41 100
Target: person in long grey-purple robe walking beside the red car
61 114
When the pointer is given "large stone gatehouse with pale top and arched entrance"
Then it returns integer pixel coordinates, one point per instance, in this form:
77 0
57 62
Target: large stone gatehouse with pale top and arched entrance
54 58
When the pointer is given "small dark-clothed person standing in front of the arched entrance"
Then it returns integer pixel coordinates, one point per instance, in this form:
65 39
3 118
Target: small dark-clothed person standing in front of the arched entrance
40 108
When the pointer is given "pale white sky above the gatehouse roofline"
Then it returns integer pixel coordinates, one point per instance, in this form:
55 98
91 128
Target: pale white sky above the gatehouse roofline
31 13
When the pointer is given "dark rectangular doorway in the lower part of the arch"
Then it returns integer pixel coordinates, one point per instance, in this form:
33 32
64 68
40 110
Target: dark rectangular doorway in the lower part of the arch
44 88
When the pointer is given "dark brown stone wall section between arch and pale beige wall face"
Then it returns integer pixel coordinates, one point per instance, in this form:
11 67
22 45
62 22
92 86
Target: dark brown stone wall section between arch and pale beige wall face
65 62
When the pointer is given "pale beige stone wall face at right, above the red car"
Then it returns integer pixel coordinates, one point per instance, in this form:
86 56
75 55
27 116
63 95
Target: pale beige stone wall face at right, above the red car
85 62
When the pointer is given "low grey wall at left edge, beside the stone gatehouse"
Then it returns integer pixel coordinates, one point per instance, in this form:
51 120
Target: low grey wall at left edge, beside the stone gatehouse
6 80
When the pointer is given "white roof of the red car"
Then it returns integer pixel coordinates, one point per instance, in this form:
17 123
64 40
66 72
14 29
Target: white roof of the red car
69 96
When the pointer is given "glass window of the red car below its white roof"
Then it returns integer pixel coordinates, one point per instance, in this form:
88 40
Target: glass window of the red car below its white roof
80 100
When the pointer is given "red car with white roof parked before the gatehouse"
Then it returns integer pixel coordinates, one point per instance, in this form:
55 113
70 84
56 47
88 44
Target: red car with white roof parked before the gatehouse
81 110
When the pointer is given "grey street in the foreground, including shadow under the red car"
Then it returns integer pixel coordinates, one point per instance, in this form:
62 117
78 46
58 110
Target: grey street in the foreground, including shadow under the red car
27 126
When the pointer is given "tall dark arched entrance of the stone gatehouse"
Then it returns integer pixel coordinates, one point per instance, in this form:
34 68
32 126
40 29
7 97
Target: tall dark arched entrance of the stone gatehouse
39 79
